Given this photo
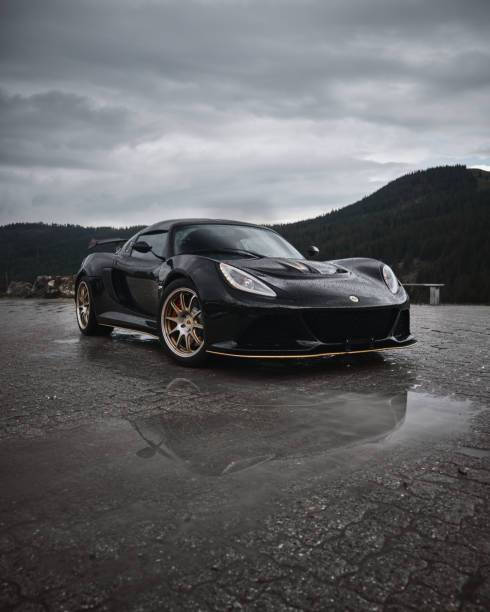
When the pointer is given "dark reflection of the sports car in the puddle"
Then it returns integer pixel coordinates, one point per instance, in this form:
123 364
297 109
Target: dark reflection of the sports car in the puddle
216 445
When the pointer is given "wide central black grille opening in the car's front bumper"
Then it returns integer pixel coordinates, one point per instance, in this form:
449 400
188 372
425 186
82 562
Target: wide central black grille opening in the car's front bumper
354 325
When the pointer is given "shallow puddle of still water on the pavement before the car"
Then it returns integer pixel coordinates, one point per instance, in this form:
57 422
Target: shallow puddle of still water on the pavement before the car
206 456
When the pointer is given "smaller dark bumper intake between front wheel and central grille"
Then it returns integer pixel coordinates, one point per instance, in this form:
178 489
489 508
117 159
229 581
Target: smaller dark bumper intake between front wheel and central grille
271 332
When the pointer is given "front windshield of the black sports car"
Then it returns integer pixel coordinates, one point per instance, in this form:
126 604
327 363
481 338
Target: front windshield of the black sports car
225 241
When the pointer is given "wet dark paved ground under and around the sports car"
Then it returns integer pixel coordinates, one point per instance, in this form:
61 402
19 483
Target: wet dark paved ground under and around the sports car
348 483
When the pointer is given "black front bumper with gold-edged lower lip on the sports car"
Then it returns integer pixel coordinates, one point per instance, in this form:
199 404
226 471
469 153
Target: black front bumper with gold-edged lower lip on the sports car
292 332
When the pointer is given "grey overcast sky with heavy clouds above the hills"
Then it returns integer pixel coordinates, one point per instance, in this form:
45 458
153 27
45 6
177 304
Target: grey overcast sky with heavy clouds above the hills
130 111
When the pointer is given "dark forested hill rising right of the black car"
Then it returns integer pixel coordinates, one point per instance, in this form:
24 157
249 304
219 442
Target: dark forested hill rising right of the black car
430 226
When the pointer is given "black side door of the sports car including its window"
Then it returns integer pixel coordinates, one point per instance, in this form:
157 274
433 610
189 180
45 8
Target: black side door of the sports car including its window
136 274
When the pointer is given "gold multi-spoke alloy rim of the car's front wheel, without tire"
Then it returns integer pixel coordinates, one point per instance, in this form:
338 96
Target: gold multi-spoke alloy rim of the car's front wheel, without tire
181 322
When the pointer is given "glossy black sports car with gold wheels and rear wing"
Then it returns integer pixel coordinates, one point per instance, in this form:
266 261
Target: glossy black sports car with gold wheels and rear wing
229 288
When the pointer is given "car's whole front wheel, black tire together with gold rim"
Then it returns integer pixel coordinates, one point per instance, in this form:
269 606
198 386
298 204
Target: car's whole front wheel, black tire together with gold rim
182 326
